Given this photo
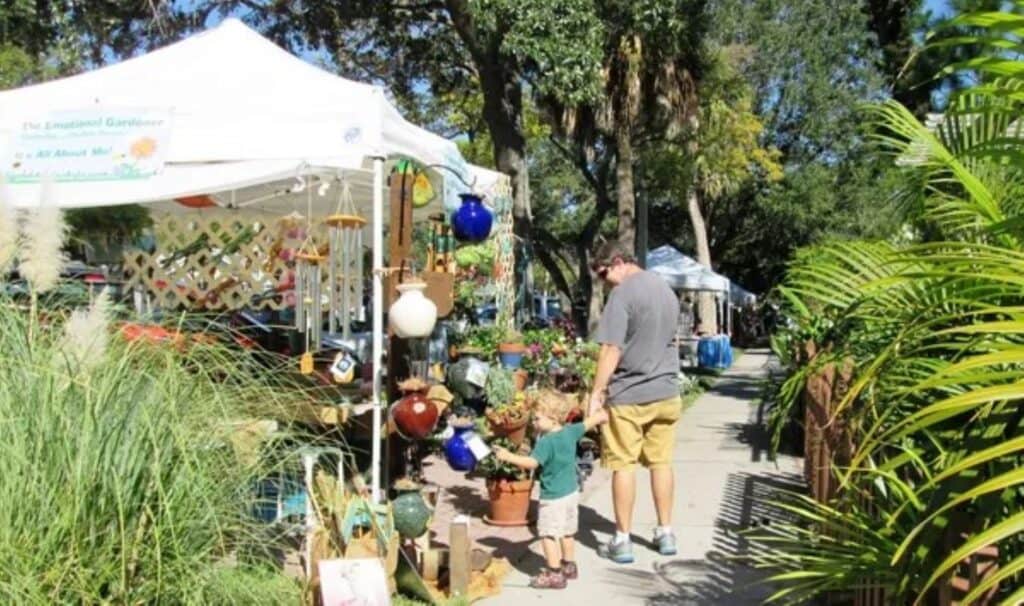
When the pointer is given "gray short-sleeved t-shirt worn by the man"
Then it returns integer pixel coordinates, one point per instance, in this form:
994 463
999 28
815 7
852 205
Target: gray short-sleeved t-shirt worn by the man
641 319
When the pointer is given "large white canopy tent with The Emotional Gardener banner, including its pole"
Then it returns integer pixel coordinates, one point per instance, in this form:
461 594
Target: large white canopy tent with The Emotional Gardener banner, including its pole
225 114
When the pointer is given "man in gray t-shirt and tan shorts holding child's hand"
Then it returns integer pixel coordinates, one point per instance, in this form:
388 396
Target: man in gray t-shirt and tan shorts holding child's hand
637 379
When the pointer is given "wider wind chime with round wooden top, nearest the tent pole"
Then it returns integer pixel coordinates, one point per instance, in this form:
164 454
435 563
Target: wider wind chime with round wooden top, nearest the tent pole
346 265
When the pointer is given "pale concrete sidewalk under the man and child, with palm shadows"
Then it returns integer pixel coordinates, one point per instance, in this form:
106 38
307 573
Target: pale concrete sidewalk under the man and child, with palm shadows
722 478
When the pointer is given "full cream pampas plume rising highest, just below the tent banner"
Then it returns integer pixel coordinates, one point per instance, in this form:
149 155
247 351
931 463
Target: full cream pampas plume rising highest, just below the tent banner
44 239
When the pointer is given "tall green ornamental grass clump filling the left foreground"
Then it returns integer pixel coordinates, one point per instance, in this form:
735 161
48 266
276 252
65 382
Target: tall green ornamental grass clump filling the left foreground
118 484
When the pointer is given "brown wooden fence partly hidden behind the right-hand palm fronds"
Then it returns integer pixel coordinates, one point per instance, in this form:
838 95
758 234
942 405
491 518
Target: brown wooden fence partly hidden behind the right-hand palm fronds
829 445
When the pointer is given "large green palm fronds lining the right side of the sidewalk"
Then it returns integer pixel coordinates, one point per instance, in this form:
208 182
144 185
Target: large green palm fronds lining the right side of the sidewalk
933 332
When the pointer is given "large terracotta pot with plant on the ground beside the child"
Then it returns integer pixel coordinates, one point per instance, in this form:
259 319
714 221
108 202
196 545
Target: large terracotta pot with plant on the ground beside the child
509 488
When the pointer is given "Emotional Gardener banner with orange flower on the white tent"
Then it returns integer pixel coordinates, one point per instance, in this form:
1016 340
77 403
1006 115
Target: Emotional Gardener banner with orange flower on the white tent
100 145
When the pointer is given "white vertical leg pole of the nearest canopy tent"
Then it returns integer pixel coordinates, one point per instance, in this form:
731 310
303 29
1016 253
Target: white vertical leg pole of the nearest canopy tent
378 324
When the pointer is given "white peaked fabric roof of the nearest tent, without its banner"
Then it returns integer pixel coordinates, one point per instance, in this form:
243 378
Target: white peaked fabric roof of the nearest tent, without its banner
242 111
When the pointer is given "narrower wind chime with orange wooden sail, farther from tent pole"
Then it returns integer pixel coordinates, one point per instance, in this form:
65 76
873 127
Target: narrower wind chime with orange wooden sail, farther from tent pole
309 313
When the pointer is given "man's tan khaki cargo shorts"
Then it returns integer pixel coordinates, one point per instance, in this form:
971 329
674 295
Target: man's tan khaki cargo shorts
641 434
